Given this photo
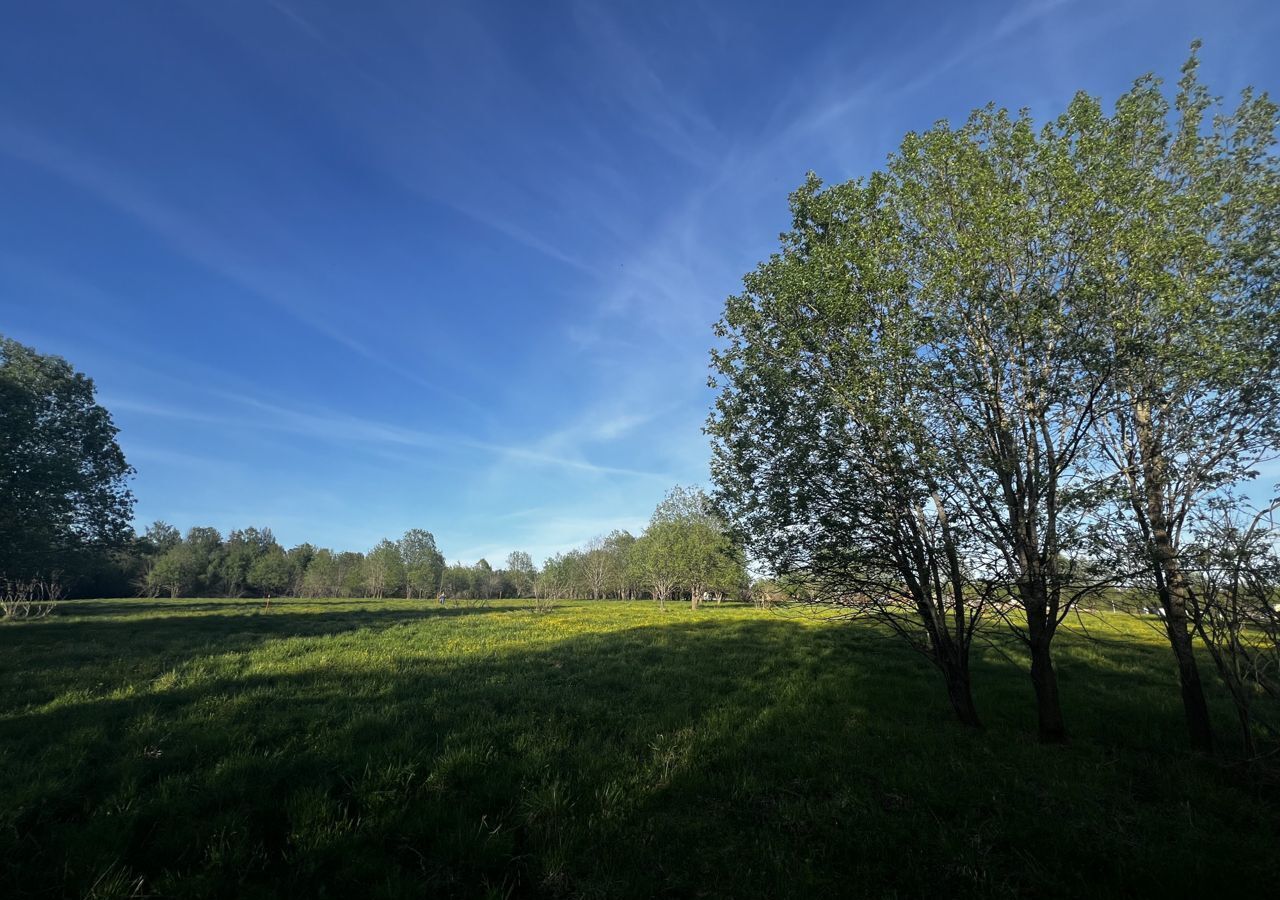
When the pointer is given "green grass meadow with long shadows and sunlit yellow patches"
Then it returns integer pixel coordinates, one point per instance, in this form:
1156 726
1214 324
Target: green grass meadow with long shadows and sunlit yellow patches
341 748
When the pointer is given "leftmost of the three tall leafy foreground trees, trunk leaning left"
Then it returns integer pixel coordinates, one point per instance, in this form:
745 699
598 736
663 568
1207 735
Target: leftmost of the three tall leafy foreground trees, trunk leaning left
821 453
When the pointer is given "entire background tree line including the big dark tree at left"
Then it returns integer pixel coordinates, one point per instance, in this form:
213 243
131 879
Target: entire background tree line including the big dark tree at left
66 509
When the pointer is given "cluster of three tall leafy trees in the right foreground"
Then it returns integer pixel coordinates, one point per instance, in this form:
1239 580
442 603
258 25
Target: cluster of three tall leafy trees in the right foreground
956 363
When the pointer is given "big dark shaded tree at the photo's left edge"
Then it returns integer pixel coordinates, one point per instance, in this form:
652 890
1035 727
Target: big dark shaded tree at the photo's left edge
65 479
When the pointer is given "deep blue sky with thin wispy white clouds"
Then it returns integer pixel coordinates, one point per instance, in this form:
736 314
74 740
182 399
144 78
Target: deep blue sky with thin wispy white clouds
346 269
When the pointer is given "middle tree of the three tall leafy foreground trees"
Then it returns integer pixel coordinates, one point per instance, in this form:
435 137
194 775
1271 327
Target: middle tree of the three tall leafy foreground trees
995 221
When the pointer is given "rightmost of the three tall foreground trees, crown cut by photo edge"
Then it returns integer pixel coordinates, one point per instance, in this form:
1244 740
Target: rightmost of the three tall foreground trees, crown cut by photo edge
1188 268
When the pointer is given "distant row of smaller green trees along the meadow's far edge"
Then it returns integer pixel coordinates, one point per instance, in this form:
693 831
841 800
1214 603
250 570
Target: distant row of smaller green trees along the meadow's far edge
685 554
